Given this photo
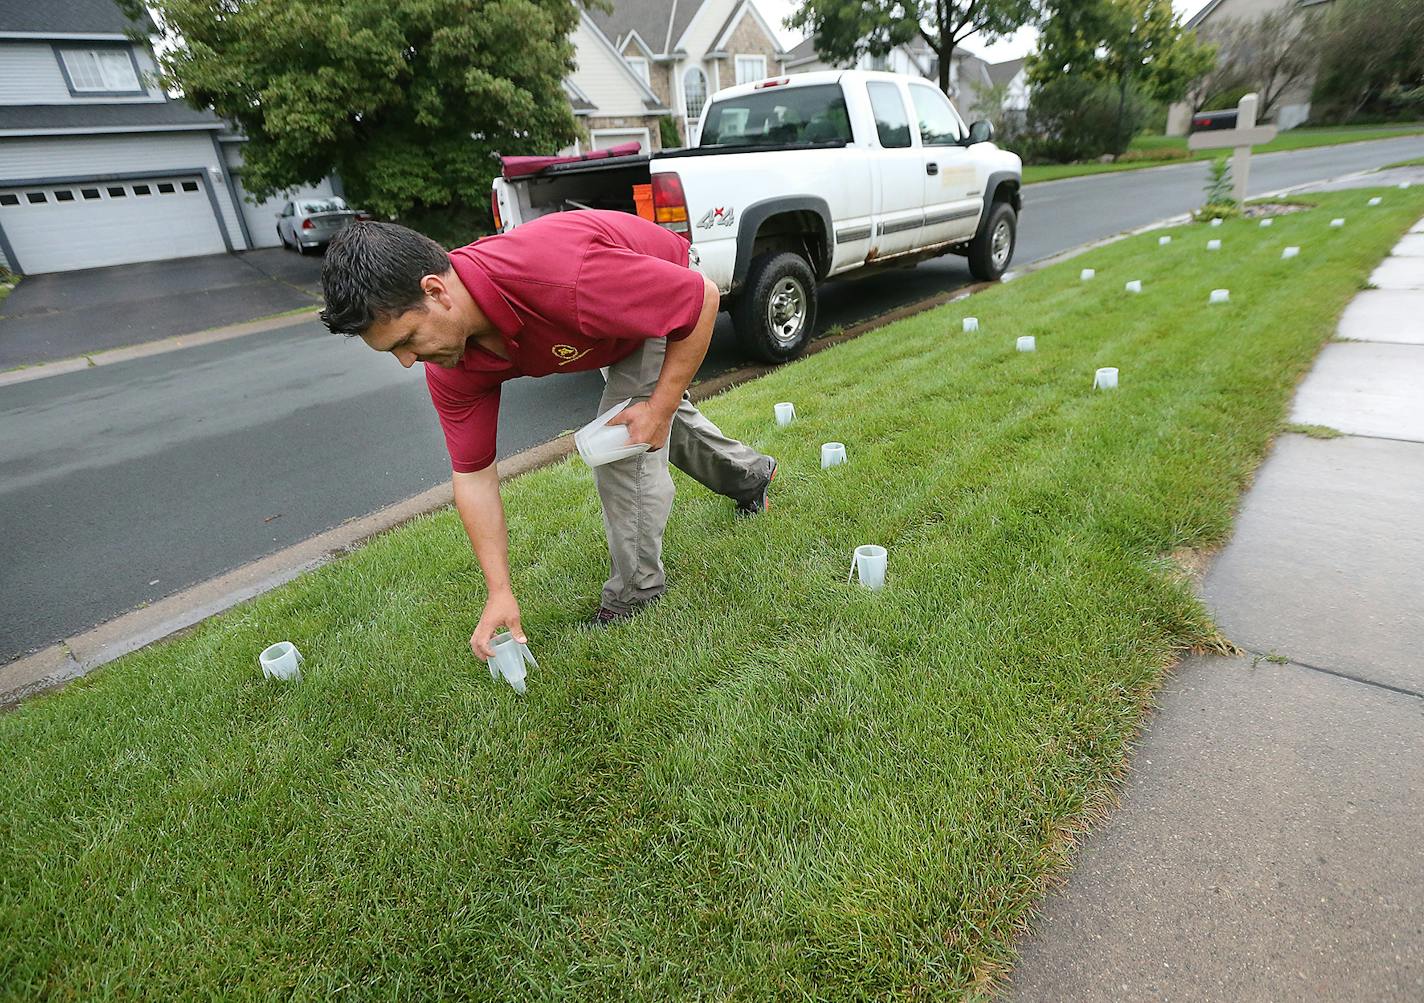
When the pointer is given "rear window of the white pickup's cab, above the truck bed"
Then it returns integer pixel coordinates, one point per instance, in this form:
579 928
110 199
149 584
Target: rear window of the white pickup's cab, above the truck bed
778 116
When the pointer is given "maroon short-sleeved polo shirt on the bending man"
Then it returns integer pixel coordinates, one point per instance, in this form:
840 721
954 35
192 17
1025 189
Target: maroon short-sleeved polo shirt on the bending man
567 293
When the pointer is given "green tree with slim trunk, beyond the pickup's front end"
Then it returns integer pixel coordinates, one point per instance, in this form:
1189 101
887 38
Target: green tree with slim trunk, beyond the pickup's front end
1137 46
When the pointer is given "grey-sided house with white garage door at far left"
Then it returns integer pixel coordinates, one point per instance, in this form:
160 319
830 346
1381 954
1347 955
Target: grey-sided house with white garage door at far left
98 165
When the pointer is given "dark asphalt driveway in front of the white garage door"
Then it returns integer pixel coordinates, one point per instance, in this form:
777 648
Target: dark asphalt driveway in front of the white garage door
70 314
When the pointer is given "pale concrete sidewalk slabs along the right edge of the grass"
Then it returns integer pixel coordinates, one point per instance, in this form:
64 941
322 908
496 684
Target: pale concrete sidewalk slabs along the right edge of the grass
1271 841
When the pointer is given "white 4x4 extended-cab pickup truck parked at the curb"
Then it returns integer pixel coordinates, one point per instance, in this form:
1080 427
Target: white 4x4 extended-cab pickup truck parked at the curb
797 180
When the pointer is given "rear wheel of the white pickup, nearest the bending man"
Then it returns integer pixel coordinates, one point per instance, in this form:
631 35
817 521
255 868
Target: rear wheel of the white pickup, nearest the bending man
775 313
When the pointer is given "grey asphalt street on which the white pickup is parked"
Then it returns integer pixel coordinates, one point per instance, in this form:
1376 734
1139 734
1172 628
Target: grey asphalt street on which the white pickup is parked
125 484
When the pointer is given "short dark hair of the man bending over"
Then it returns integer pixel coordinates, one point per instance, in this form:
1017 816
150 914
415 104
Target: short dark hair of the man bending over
372 273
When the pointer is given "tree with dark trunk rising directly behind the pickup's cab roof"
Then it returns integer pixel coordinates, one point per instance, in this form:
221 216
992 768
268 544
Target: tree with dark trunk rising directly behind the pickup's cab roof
845 31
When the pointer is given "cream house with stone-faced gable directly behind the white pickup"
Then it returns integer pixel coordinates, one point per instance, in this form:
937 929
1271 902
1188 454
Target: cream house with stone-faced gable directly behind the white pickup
684 51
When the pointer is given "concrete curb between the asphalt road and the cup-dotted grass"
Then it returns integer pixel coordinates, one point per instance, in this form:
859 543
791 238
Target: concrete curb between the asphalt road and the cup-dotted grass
75 658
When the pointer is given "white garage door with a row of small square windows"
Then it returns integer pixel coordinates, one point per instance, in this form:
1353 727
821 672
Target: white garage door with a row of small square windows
88 224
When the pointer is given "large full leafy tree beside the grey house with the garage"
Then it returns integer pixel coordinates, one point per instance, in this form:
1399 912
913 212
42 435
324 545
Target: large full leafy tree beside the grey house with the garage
408 100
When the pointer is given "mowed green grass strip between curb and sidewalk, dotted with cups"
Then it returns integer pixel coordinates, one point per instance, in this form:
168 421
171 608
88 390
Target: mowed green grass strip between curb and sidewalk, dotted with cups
770 786
